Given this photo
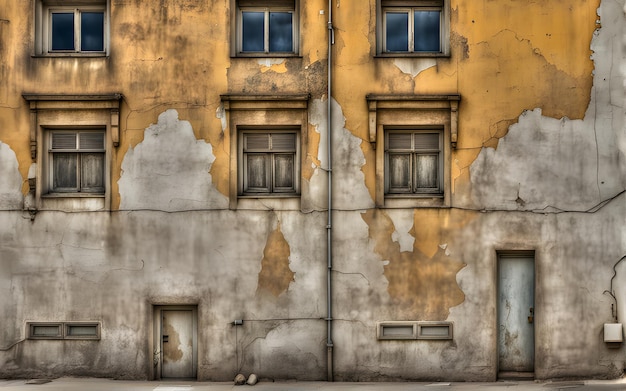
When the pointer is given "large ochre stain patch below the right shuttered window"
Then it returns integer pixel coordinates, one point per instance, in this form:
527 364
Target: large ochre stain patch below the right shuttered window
422 285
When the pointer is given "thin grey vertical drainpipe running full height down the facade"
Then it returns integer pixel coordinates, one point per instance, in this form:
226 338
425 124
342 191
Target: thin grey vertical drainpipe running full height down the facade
329 225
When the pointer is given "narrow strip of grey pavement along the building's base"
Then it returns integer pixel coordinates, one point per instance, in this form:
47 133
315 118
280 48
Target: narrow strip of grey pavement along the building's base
90 384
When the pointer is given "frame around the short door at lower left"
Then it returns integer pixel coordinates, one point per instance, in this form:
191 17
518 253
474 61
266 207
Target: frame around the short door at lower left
156 361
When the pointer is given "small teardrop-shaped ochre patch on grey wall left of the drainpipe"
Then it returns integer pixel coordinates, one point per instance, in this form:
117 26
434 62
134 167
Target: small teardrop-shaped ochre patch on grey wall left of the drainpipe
275 275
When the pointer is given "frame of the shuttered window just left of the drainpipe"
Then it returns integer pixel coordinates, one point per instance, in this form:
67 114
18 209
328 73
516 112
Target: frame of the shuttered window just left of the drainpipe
271 190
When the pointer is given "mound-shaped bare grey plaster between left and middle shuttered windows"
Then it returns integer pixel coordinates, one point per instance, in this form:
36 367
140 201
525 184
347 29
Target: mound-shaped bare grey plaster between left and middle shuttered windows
169 170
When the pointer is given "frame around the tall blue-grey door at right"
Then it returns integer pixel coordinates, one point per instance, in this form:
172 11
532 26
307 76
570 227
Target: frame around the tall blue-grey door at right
515 253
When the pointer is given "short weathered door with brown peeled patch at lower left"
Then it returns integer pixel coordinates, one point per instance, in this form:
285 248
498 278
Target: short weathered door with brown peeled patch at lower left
177 344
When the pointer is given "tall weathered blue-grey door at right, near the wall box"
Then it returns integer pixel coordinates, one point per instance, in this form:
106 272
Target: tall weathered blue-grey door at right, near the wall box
516 313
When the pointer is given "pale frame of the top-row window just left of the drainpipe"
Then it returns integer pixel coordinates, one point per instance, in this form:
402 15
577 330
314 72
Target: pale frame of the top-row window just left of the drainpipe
242 6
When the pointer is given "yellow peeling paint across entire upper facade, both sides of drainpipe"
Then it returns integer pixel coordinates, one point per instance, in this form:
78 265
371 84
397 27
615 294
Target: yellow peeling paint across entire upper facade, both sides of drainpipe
507 56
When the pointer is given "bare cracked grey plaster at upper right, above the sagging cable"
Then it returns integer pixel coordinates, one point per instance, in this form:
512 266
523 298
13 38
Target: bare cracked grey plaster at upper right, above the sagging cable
546 164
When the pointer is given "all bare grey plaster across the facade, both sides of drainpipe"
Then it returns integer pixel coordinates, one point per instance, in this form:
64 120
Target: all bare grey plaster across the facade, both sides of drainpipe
175 242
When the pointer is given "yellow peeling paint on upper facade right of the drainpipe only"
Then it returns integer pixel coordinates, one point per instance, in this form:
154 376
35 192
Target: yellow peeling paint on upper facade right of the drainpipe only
506 57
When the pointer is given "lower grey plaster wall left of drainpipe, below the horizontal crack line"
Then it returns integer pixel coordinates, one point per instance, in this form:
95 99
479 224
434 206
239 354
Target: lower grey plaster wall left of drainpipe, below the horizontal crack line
78 272
